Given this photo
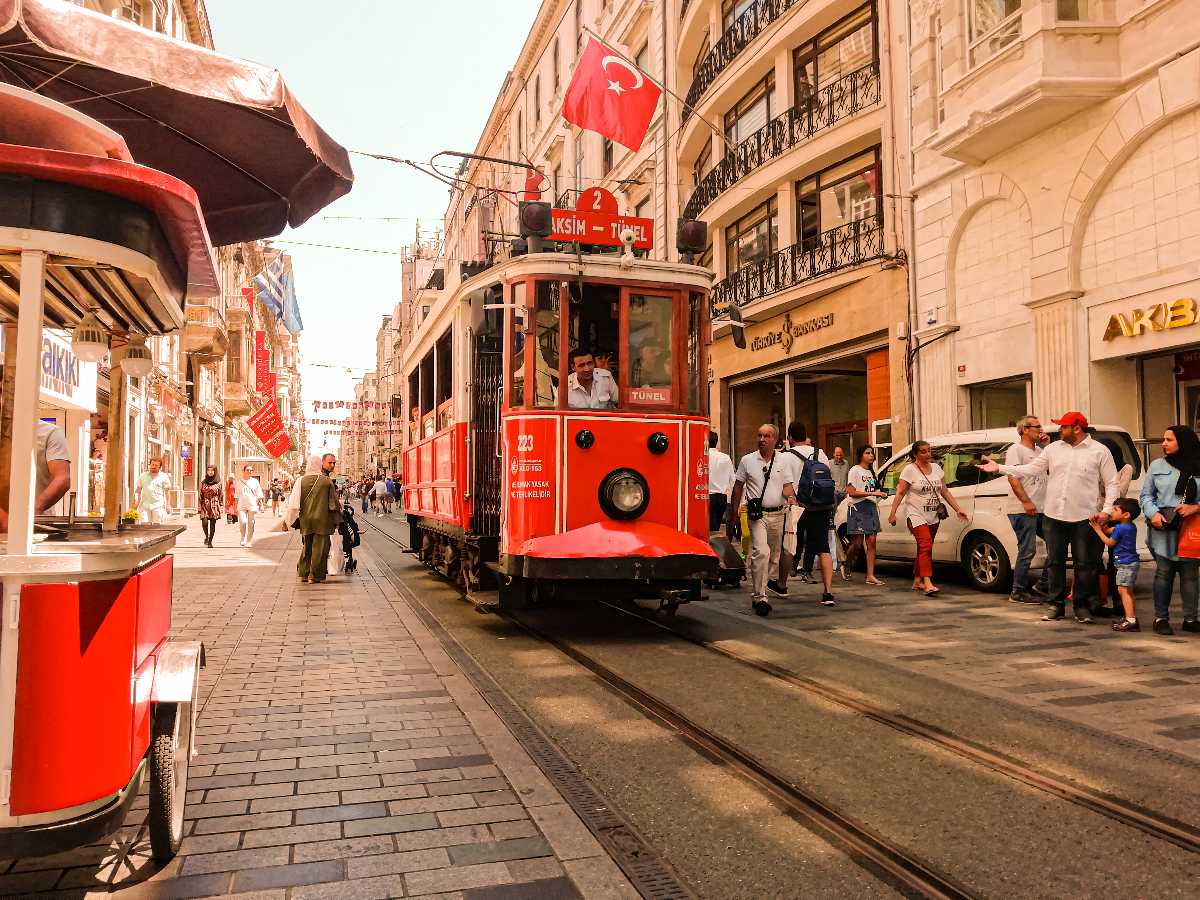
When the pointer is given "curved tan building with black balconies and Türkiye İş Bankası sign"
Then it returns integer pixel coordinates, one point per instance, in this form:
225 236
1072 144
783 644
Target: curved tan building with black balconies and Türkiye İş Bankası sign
793 147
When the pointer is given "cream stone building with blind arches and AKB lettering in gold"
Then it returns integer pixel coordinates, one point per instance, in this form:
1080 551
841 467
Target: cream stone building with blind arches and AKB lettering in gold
1058 212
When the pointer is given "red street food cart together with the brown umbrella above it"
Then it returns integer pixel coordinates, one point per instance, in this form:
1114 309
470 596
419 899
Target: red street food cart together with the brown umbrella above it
95 699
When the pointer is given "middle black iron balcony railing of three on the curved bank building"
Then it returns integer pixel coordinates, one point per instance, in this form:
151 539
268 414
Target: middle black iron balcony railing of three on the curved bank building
837 101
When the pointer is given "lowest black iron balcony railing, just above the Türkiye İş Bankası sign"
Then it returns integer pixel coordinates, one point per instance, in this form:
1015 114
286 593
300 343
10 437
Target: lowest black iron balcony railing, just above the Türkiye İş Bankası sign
842 248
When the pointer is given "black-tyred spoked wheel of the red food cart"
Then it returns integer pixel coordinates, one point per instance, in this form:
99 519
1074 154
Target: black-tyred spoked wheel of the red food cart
171 747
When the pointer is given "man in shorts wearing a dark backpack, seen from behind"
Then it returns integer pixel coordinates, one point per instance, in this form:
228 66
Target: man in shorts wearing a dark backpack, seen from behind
817 493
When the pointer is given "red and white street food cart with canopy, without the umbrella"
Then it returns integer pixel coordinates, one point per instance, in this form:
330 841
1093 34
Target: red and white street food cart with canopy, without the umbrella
94 698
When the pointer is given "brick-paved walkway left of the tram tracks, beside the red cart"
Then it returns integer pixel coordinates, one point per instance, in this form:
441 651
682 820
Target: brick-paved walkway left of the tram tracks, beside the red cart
341 755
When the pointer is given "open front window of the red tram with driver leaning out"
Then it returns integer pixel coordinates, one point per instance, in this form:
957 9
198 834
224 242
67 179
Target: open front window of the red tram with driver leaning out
595 328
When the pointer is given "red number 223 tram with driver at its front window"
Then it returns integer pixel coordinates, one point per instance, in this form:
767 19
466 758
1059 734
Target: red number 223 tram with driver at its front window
525 472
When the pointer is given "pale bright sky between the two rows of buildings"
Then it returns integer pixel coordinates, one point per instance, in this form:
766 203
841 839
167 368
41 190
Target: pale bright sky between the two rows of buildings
400 77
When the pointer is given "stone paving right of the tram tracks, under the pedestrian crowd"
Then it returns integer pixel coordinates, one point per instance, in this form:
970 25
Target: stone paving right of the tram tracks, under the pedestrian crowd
1138 686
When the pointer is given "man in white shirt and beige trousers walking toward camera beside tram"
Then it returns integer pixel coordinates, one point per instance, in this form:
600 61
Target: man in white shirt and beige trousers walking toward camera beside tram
770 477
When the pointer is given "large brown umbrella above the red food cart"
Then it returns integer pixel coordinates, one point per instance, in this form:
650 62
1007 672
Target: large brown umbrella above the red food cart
227 128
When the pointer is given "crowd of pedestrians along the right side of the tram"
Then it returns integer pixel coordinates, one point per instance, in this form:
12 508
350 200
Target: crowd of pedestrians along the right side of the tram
1070 493
